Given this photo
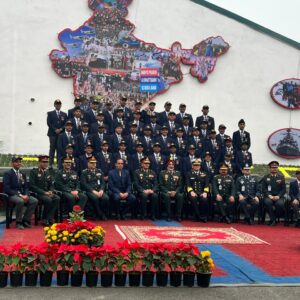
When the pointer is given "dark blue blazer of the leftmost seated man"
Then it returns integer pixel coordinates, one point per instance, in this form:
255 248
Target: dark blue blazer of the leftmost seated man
12 185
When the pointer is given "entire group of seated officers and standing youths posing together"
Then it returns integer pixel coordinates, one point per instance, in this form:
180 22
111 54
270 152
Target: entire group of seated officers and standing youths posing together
120 162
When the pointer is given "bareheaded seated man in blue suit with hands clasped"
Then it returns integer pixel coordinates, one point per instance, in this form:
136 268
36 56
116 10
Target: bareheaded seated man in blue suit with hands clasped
119 187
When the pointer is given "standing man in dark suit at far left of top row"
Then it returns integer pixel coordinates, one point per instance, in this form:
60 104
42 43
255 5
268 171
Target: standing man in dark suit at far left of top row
56 120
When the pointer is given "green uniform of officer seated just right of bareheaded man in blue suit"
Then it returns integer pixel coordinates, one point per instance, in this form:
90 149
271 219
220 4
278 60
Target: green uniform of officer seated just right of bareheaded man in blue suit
146 180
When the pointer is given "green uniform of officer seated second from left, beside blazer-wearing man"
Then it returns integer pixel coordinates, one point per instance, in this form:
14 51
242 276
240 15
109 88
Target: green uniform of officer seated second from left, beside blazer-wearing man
41 181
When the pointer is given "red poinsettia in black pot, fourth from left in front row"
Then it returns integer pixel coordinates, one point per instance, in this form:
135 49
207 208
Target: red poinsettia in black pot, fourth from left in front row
46 263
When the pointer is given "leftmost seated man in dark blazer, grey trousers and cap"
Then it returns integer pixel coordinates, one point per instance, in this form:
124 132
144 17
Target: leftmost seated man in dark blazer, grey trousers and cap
16 187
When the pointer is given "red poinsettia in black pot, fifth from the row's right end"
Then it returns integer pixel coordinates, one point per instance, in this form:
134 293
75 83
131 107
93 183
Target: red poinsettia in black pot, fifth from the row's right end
147 265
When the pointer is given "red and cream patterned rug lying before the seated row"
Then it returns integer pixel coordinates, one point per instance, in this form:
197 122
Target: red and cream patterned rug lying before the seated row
195 235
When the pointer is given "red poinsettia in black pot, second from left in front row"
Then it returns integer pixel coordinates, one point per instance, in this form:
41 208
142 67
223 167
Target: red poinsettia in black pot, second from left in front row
15 264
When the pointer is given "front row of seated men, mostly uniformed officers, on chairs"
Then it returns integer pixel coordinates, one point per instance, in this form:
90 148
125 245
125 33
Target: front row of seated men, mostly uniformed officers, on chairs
124 196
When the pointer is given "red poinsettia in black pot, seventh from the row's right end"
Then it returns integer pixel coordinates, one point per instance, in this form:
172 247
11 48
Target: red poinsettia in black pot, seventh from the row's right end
121 261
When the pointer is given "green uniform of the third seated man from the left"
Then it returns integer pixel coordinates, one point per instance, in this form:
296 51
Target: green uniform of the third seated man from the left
66 182
